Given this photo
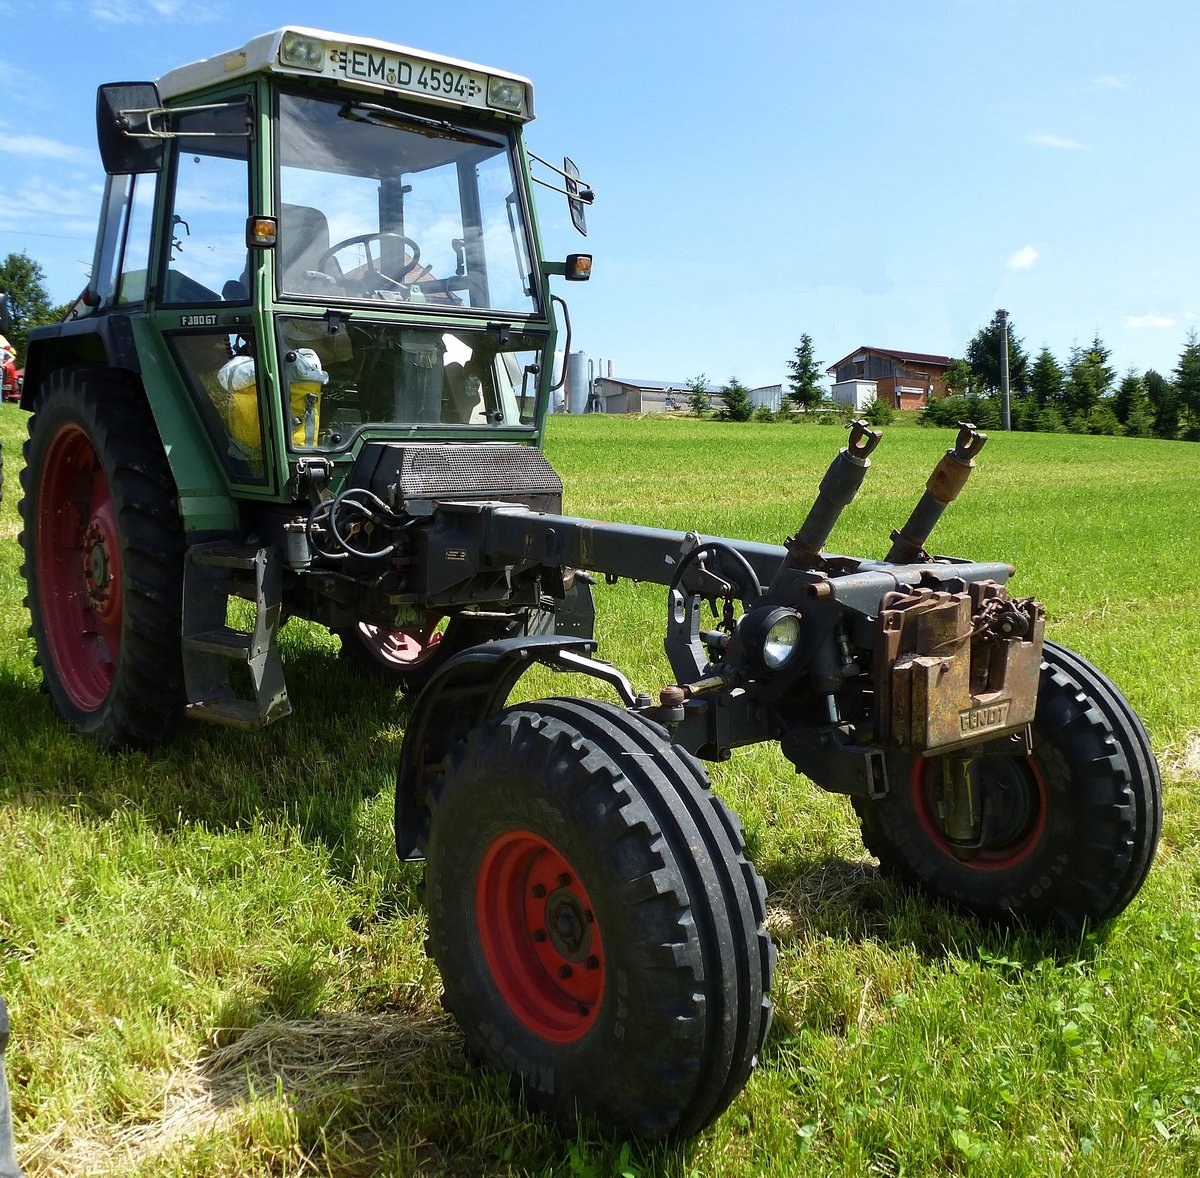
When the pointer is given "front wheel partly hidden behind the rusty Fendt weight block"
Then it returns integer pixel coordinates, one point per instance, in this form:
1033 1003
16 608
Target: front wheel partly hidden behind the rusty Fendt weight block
1069 833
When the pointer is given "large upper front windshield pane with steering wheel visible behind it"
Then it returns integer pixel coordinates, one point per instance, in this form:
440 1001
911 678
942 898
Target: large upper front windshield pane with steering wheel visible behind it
380 205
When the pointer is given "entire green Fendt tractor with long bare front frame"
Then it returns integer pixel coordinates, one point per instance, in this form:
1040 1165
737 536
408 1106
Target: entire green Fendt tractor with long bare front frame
311 370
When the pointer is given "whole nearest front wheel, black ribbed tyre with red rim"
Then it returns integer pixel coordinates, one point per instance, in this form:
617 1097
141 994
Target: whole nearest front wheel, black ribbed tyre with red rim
598 928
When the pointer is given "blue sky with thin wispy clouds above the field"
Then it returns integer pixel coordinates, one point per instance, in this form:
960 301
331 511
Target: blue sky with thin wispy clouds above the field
869 172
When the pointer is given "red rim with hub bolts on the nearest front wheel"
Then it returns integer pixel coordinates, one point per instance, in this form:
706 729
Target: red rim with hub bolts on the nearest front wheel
541 937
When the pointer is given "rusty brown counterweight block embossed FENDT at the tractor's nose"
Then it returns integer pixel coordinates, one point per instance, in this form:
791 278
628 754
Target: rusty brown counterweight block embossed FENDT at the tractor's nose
952 668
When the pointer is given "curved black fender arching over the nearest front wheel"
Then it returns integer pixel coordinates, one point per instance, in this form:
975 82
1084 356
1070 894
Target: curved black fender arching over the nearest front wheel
463 694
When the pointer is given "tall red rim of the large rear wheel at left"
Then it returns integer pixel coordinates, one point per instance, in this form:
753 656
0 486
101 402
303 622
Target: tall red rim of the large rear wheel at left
79 569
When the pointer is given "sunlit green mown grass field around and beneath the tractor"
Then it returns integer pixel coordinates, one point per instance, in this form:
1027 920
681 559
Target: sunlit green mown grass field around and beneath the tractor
215 965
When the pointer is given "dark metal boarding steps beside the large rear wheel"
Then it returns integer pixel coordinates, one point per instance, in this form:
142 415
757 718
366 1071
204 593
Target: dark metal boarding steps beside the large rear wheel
233 676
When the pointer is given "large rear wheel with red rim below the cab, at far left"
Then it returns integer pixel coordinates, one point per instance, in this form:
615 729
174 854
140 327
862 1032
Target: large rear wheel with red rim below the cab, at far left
104 560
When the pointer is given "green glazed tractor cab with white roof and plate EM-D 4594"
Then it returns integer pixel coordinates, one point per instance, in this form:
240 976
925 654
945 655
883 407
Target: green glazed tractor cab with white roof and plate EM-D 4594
334 242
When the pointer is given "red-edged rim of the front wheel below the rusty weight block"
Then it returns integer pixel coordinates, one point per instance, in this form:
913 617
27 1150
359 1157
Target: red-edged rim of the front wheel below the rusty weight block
1013 784
